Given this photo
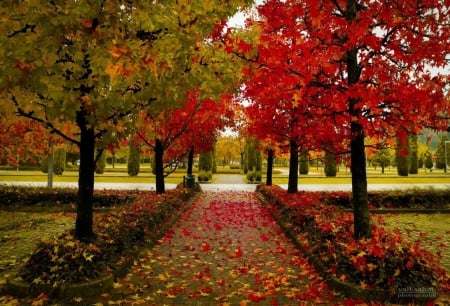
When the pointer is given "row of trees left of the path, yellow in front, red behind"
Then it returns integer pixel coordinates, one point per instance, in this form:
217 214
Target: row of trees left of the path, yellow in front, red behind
95 73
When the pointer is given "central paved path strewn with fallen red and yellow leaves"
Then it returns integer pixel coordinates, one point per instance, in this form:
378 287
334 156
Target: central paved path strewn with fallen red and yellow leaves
225 250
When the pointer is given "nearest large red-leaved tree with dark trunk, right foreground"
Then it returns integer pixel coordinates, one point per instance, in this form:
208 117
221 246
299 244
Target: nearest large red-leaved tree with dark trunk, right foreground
363 68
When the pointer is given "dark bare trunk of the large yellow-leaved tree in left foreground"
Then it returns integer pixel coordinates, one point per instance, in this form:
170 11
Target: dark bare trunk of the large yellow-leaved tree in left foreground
84 220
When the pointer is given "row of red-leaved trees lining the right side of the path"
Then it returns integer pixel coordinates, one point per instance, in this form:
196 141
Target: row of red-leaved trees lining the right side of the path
328 74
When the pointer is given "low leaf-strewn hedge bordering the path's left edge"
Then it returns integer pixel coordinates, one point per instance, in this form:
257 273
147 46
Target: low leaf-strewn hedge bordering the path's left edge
63 259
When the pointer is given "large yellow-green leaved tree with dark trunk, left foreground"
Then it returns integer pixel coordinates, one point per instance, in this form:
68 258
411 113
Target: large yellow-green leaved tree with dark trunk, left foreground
94 63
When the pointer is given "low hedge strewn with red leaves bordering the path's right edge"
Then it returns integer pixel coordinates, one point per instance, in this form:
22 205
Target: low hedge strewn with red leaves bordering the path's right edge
385 261
